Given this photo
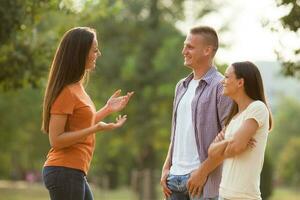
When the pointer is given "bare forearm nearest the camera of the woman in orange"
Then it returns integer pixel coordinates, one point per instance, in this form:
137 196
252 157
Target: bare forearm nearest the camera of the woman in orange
69 138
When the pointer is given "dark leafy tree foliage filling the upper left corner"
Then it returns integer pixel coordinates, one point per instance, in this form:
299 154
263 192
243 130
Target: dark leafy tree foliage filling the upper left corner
20 46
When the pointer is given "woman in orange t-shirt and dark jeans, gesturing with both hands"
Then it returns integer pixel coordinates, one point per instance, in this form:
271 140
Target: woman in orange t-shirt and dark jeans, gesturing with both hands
70 117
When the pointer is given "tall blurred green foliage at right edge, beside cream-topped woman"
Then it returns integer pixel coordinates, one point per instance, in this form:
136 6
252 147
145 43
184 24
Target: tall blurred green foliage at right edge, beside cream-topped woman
283 141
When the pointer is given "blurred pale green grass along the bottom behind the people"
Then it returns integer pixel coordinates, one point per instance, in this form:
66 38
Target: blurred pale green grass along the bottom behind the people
23 191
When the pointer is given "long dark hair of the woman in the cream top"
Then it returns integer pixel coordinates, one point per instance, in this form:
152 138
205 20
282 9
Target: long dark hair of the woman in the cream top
253 85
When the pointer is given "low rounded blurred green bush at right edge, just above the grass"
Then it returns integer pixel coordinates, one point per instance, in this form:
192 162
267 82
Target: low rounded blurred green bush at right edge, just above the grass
289 162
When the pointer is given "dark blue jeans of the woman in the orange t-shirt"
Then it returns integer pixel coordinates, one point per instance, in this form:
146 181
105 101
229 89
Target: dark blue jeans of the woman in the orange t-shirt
66 183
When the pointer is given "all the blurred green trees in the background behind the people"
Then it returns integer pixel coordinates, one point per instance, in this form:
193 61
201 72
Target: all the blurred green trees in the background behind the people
141 52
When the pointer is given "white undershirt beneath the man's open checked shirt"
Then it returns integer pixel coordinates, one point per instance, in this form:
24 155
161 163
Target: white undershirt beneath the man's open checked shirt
185 155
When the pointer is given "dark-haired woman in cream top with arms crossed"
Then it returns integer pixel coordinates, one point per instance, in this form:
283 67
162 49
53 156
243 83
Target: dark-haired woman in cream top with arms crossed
243 141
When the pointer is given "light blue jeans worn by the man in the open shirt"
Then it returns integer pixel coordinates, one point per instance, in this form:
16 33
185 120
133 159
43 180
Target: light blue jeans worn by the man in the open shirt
177 184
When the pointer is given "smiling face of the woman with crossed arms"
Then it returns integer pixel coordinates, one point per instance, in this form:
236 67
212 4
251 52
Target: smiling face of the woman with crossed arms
231 83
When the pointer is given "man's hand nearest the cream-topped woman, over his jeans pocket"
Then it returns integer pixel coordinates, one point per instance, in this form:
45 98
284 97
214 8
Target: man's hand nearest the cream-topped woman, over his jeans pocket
196 183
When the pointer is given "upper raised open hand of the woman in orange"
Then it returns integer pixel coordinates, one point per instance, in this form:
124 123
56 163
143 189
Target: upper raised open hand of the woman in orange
116 102
